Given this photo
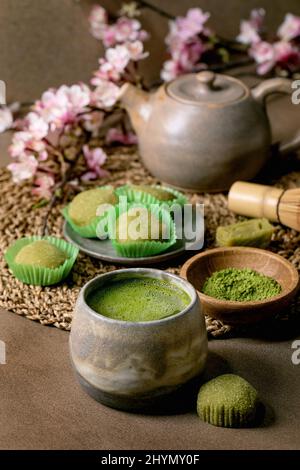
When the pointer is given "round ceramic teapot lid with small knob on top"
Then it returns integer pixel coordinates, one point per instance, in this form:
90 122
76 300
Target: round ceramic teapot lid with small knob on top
206 88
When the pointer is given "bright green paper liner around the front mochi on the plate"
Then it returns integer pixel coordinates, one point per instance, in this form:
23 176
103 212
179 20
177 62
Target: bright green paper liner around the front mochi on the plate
139 249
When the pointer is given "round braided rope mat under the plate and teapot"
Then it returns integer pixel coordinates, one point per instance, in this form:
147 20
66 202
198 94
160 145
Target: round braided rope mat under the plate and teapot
54 305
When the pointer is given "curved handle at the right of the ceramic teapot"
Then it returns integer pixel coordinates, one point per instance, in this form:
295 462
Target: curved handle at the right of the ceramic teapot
277 85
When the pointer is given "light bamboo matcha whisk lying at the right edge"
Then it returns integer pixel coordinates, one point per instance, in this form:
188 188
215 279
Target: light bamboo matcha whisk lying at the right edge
275 204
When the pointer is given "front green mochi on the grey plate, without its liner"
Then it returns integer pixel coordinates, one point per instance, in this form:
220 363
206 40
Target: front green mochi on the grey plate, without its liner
148 226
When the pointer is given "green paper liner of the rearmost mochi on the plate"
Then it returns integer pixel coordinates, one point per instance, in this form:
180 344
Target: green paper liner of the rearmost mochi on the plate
134 195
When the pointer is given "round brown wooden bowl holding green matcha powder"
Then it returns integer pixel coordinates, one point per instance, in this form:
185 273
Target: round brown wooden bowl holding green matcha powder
197 269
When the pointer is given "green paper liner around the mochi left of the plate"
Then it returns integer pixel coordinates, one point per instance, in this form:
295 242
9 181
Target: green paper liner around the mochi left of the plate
36 275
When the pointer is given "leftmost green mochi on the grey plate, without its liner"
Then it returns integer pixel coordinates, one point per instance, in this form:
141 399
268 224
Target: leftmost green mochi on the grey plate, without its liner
83 208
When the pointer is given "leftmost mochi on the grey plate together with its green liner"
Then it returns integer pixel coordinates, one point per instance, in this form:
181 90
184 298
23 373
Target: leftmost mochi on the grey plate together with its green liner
82 214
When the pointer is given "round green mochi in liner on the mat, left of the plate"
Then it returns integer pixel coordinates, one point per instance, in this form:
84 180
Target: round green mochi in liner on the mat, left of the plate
41 253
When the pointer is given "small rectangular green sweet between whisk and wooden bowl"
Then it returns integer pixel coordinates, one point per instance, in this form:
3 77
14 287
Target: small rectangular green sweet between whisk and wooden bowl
254 232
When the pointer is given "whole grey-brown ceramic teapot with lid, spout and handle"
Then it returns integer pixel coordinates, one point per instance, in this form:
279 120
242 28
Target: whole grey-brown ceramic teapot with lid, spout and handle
204 131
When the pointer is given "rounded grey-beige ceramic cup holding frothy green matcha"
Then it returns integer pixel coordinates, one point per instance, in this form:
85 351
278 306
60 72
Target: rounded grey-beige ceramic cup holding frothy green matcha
136 365
